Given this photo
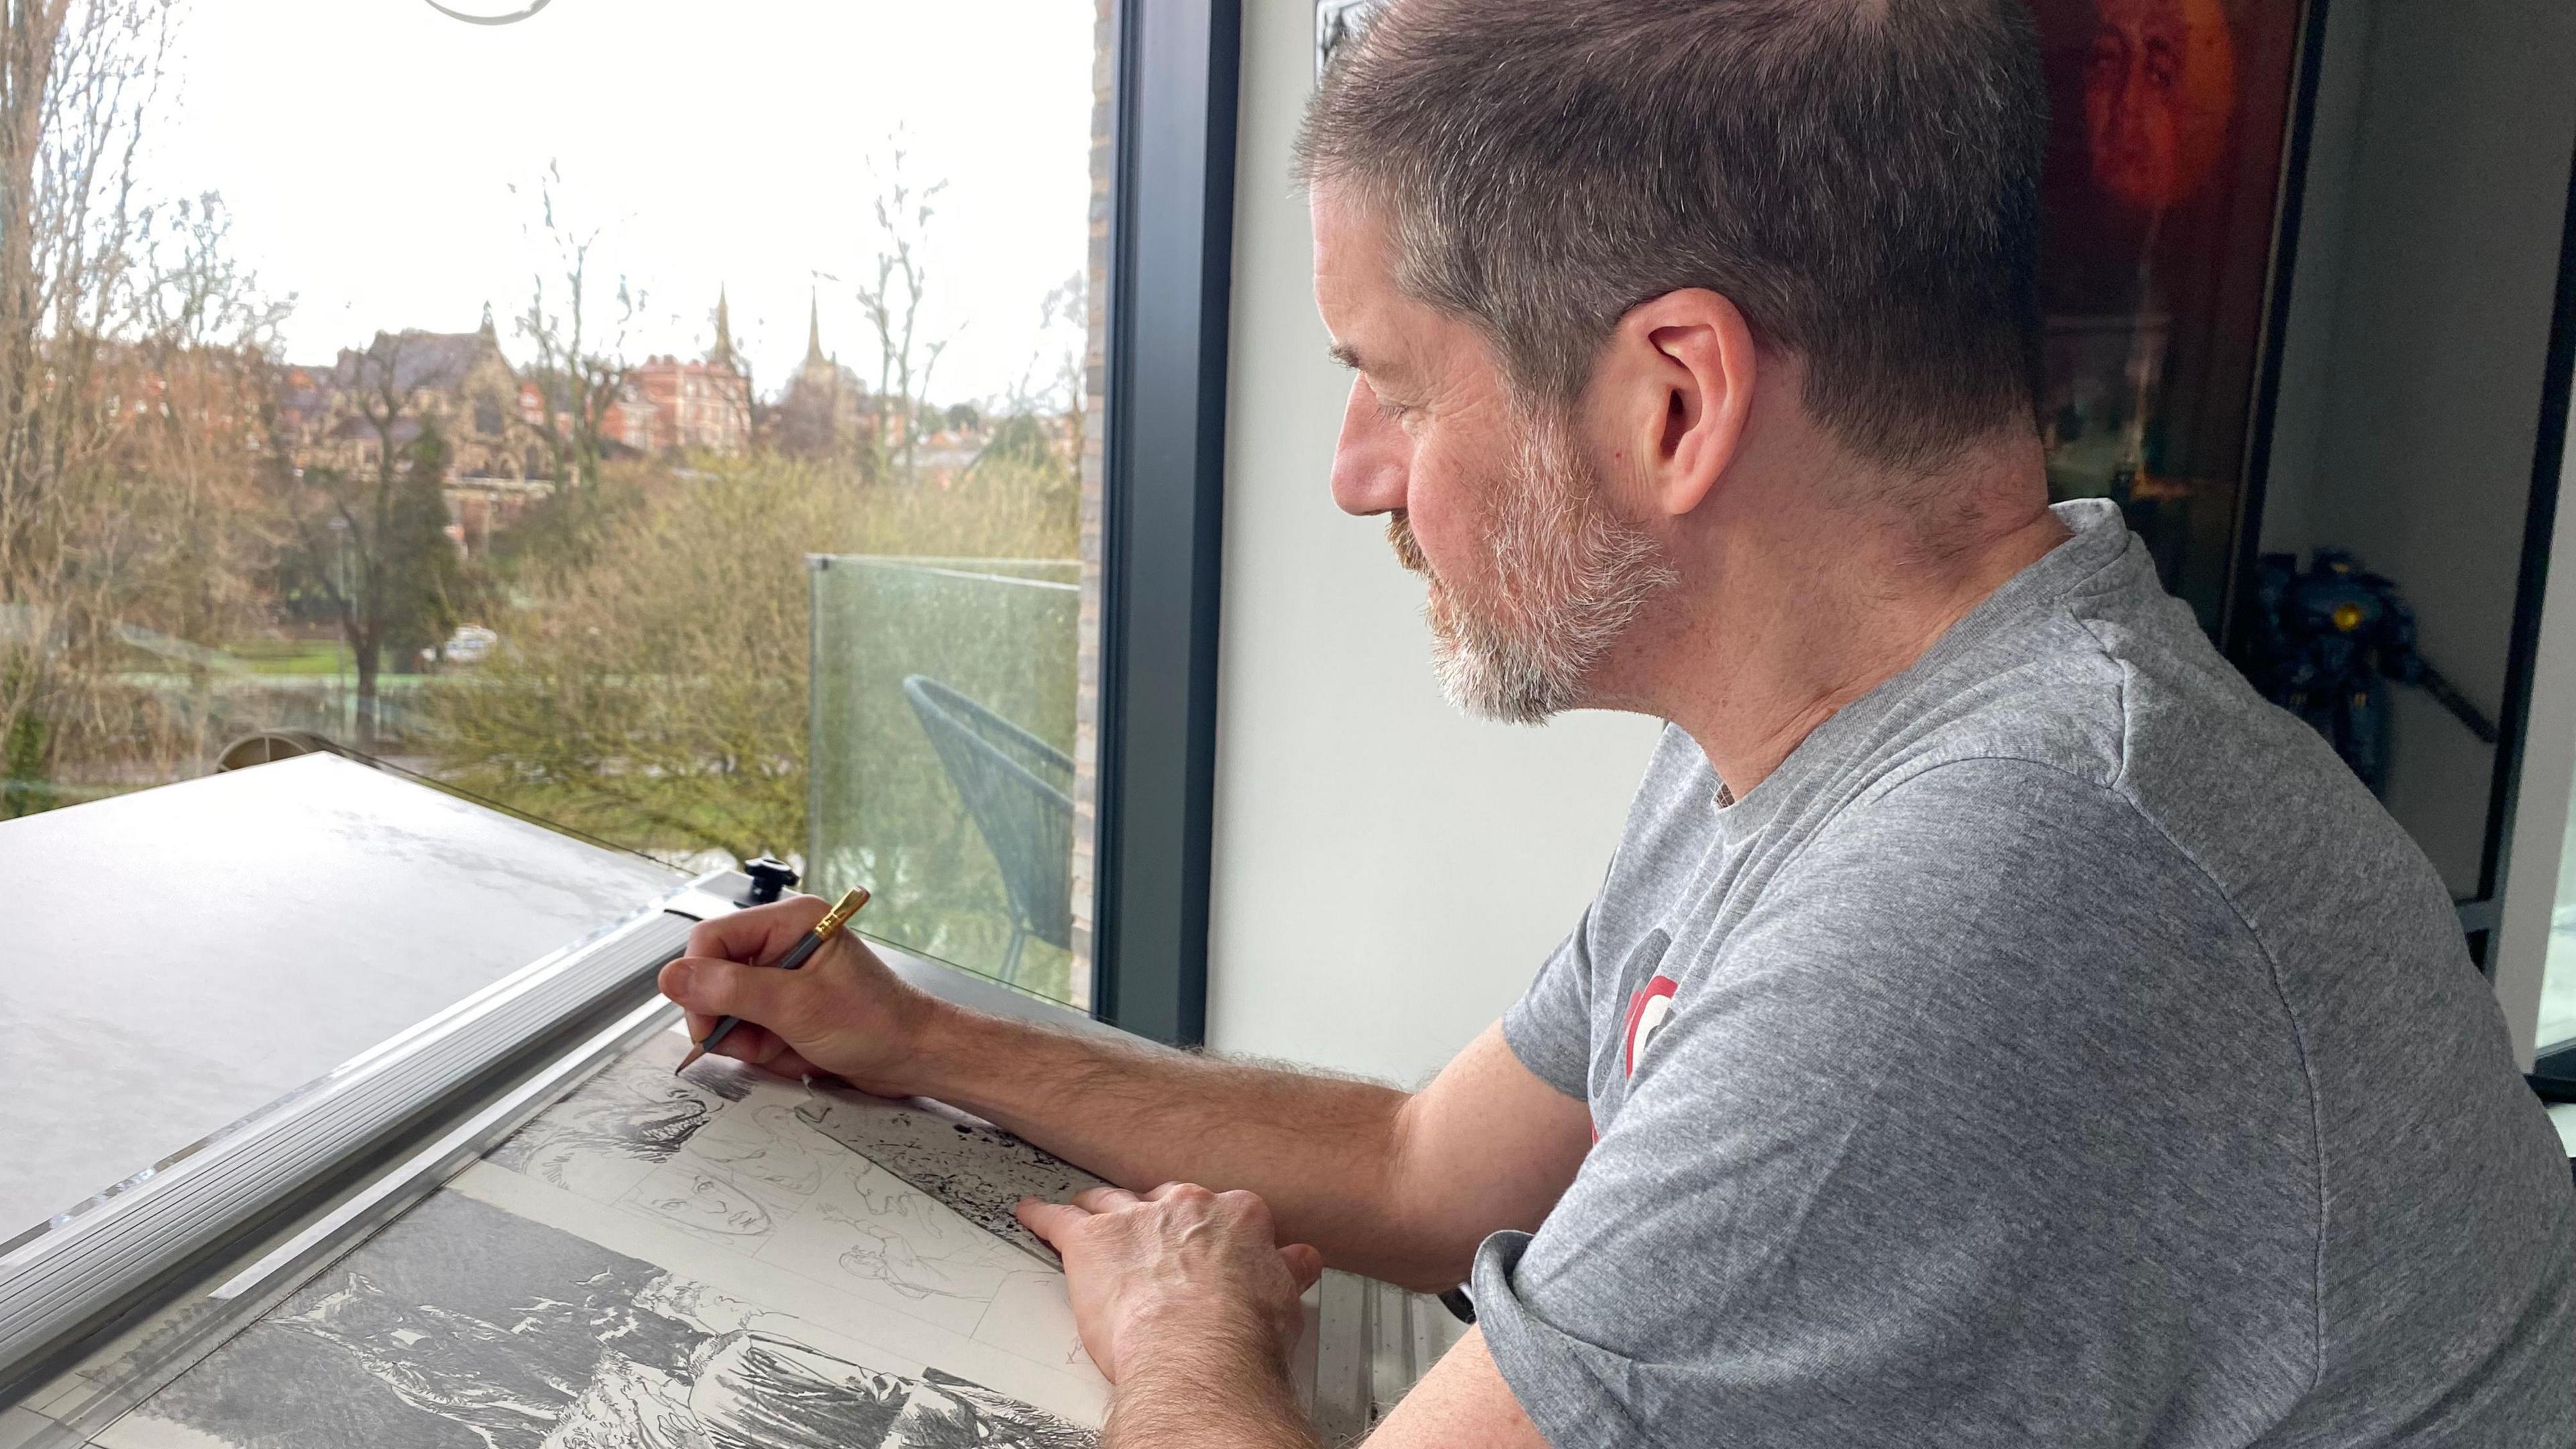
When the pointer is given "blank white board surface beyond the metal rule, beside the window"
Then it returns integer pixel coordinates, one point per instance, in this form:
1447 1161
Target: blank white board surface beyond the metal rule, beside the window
187 955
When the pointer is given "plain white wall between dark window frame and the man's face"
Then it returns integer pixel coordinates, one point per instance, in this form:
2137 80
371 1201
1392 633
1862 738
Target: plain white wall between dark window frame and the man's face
1387 873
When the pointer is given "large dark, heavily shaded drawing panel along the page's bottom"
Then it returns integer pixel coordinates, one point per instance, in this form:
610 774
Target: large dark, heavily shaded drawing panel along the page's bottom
462 1327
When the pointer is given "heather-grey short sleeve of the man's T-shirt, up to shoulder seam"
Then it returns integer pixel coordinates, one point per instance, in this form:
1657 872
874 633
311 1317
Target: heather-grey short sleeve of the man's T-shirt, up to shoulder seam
1908 1164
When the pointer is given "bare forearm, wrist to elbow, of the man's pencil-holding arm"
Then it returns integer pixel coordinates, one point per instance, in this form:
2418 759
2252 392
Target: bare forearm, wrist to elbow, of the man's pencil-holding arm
1323 1151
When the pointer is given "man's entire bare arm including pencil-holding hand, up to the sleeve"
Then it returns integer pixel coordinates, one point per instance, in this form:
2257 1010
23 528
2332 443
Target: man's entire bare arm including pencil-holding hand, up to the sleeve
1387 1185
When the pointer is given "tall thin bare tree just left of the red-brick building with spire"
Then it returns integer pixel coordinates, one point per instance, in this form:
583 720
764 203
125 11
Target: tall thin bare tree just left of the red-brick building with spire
581 367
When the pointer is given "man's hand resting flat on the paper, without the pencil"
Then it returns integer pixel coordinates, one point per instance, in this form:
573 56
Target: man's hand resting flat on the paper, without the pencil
1179 1280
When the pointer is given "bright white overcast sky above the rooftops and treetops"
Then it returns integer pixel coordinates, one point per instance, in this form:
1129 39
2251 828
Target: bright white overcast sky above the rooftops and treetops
367 153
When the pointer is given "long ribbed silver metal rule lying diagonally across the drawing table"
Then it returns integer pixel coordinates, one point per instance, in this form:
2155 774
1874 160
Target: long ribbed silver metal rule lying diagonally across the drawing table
109 1259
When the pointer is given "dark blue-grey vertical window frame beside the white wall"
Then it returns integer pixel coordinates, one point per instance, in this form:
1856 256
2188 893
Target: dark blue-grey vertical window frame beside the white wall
1171 282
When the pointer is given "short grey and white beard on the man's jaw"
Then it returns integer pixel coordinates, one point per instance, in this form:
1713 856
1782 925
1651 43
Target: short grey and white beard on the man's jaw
1570 579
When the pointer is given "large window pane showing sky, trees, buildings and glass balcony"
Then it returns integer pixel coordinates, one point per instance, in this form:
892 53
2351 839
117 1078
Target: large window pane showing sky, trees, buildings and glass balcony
475 396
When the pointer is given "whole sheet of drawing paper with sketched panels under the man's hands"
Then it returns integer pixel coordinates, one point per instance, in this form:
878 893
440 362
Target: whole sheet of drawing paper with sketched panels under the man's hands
658 1265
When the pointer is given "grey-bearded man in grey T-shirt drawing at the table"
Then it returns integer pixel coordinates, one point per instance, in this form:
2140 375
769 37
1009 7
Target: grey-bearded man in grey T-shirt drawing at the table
1998 1025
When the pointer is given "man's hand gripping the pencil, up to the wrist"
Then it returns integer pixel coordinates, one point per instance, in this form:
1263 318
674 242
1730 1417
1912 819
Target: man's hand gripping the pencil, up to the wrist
841 1015
